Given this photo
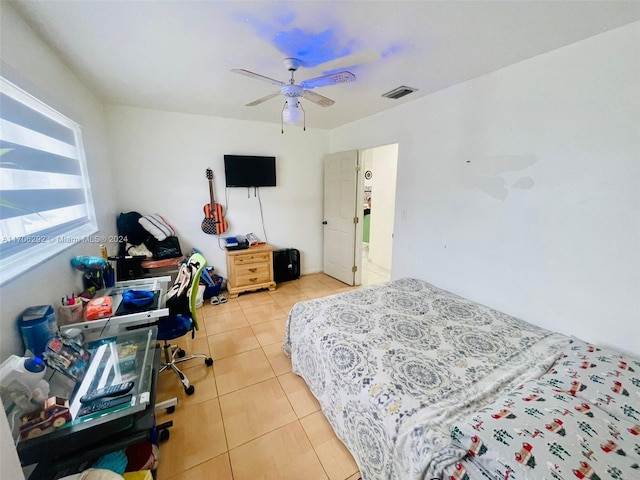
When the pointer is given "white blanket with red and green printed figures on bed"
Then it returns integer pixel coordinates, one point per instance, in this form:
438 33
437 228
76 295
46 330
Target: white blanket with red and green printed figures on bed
579 420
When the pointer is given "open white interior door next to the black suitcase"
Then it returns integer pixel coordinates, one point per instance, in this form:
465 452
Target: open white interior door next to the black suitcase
340 215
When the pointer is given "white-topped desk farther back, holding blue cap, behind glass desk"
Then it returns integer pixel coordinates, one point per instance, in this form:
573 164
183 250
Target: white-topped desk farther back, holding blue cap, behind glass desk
113 325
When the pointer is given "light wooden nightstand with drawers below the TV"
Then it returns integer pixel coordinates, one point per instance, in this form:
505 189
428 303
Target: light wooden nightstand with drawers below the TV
250 269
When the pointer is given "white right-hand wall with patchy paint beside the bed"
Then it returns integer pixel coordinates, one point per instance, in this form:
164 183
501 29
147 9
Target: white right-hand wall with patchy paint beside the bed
519 189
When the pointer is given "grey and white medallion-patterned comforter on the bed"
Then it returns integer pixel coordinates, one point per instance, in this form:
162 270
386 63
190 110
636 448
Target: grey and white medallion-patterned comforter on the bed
394 365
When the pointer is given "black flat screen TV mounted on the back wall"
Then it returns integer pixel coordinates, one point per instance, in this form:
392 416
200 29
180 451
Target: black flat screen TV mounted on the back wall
250 171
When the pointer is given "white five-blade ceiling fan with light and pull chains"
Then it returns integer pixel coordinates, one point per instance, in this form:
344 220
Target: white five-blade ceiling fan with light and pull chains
292 112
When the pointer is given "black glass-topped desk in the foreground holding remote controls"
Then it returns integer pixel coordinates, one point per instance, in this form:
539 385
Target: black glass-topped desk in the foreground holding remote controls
129 356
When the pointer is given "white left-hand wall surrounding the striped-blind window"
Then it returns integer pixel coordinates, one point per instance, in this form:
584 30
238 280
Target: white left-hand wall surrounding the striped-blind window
30 64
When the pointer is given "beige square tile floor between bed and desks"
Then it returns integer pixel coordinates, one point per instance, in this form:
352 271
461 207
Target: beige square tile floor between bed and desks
250 417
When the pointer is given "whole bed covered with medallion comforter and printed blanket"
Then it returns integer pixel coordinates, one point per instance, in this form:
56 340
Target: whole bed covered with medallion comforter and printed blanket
419 383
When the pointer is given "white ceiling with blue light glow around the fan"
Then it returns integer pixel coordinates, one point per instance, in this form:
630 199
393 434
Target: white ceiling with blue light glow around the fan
178 55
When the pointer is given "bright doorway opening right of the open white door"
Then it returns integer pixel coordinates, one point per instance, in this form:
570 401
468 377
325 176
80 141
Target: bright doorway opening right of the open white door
377 191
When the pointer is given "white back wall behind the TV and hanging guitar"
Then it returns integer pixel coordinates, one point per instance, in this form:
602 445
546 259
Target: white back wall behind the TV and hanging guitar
160 159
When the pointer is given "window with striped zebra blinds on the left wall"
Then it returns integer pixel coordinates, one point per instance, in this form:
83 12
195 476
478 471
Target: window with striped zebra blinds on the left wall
45 196
